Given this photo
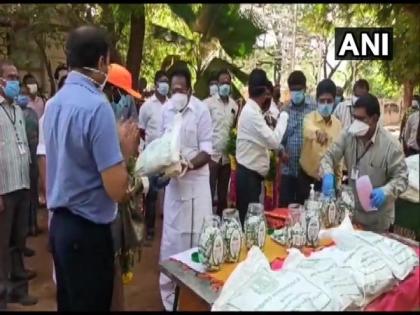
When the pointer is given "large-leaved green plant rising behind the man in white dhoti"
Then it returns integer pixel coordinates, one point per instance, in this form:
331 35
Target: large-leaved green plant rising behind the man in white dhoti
214 35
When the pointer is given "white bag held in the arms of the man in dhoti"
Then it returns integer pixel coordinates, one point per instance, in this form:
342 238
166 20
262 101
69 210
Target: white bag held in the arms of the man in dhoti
163 152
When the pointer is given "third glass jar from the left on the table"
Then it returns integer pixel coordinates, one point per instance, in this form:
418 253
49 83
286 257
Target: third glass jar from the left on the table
255 226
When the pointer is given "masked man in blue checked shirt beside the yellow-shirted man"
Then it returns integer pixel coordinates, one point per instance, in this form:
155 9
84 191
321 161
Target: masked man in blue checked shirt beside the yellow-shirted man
299 106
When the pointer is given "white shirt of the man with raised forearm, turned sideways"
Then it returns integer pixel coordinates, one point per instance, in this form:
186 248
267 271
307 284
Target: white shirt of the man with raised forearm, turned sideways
255 138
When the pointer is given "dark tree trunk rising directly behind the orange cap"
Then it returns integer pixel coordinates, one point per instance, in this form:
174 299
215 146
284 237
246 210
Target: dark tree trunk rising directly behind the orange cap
135 44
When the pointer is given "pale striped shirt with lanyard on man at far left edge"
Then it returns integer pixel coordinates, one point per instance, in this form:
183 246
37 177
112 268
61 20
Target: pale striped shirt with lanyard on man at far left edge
14 166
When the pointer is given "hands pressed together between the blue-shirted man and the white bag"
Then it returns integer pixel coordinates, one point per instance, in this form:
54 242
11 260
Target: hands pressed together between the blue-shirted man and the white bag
129 138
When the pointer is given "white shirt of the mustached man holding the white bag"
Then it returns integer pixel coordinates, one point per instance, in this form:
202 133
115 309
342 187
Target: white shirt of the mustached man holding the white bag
196 131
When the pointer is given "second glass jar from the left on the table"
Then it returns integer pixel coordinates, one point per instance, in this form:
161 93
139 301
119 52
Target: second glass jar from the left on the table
232 235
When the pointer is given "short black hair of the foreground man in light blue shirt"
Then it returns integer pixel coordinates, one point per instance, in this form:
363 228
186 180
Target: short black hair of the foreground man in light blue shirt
85 45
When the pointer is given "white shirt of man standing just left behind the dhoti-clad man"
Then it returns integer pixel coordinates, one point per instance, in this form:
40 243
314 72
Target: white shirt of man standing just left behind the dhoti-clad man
150 117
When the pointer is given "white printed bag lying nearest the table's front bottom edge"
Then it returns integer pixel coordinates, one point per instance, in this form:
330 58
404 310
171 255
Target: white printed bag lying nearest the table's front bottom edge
253 286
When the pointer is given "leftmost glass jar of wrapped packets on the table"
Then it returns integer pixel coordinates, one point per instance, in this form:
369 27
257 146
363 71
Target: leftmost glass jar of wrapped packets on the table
211 244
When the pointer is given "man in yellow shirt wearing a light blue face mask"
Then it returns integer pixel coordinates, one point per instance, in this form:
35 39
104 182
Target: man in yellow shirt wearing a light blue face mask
320 130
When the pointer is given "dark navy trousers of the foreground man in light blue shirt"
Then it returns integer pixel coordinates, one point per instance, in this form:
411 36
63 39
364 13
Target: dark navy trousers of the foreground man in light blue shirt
84 261
